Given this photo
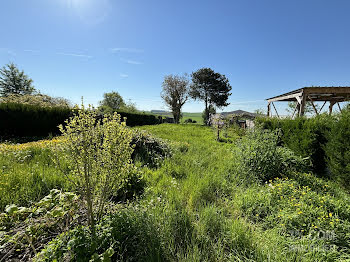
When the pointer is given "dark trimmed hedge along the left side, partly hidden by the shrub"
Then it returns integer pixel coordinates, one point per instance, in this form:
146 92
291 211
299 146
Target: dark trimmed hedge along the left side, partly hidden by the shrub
22 120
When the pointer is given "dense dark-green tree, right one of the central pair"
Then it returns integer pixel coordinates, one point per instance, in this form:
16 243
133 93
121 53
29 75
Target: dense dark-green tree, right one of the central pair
211 87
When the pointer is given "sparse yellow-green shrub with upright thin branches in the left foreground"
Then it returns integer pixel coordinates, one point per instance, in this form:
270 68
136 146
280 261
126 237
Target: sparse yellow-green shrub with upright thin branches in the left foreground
98 154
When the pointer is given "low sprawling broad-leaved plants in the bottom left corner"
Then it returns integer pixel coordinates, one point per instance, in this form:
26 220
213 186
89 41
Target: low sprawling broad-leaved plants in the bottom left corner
29 228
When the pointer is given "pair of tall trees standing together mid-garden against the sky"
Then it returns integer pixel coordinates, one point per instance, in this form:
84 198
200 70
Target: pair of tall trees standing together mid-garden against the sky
206 85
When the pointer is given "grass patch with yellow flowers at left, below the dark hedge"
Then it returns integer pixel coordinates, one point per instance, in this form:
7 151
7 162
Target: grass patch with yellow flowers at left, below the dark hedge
27 173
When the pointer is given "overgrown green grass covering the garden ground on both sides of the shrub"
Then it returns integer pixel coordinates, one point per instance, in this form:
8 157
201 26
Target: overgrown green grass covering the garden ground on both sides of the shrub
198 205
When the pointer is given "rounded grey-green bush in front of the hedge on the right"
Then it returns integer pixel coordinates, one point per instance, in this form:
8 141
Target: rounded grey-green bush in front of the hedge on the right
261 156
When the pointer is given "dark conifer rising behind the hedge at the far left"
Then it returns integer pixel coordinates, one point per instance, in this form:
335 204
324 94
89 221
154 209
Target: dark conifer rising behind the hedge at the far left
14 82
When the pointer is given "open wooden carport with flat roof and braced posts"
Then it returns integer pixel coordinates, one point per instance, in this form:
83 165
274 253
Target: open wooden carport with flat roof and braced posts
333 95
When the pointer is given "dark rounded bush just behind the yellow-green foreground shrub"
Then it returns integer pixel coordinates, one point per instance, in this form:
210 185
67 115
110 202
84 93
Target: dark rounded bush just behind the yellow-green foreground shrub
148 149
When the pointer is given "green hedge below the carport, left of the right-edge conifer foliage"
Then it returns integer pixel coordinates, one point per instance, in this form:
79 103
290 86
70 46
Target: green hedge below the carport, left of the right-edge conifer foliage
307 137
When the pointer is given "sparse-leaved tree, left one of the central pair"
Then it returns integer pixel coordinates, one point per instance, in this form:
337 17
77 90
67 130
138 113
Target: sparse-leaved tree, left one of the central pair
175 93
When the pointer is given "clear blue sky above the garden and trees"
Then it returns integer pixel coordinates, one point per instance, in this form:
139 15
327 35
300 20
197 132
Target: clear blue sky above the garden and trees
75 48
